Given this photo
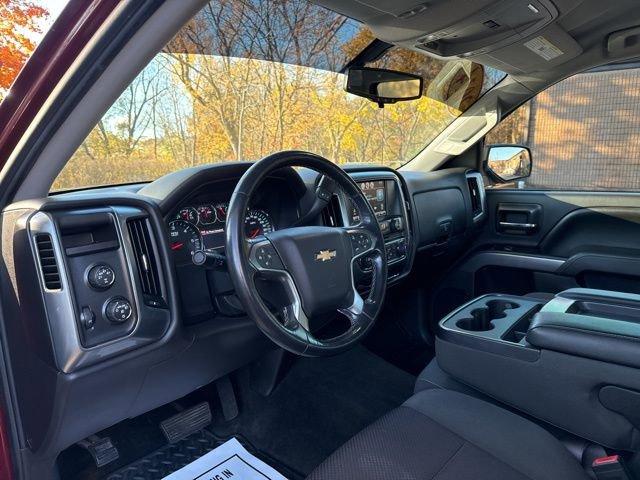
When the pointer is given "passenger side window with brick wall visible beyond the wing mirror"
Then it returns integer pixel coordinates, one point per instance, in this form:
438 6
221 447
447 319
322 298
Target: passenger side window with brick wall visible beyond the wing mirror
583 133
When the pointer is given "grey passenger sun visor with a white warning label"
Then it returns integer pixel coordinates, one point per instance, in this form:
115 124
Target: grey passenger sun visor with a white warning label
548 48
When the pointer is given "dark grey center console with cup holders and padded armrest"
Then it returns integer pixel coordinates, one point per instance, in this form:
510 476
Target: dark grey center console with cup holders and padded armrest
573 361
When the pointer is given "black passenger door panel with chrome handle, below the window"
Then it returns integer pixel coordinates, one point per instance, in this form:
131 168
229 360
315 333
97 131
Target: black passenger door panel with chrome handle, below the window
565 240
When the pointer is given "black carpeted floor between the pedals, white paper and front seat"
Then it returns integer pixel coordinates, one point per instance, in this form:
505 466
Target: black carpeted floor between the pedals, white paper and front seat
319 405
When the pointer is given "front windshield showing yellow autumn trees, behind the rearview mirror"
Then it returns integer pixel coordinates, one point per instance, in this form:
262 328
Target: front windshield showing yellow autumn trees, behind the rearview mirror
247 78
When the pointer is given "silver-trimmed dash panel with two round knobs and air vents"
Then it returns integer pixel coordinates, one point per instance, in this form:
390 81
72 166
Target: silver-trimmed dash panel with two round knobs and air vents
102 284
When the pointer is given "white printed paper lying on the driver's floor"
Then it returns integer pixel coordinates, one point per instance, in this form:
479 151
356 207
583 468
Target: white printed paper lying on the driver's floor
228 461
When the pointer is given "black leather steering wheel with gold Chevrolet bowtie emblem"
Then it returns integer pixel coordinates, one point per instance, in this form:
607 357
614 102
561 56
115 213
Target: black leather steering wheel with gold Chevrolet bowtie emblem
311 265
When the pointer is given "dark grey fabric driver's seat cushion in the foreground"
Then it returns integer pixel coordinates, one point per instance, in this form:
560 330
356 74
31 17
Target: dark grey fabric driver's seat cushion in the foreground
444 435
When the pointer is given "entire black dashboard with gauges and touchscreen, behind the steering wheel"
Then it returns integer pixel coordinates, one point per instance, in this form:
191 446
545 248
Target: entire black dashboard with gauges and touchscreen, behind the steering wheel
123 317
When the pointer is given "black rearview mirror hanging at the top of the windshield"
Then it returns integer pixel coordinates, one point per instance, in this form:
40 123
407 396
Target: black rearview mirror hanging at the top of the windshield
383 86
